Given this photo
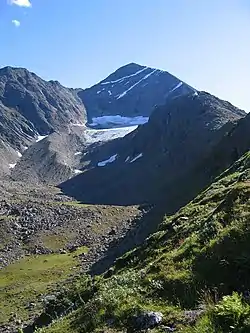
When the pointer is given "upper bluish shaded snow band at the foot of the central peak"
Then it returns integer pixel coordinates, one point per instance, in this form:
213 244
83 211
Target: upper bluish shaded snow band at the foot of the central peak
119 120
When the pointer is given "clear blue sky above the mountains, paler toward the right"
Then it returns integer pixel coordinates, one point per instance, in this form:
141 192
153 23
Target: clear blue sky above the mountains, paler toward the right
79 42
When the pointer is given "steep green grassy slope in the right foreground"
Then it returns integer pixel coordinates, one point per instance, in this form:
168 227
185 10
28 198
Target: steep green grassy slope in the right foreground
195 269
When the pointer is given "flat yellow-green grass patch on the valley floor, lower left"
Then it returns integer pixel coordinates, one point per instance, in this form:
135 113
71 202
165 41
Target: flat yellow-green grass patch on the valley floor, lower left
28 280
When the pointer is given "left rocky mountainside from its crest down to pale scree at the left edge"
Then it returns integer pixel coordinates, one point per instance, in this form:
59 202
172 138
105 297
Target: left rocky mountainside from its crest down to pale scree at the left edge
31 107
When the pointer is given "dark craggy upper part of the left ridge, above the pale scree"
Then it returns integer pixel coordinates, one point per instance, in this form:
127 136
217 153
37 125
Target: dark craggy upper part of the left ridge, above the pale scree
47 105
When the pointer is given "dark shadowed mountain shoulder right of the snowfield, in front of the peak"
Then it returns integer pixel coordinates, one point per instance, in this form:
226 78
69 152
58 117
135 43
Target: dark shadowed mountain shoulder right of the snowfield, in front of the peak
153 159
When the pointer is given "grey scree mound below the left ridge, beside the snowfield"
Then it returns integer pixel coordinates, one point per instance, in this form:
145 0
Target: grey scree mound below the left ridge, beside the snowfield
51 160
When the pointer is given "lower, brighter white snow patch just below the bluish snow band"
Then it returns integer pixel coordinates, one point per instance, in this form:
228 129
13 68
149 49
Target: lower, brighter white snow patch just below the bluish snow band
93 135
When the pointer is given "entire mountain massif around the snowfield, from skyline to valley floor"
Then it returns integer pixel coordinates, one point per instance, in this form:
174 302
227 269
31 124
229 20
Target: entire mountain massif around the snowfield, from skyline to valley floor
138 118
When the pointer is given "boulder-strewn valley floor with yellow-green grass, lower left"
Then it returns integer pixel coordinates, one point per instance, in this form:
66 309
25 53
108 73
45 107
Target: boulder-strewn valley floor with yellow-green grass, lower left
46 240
